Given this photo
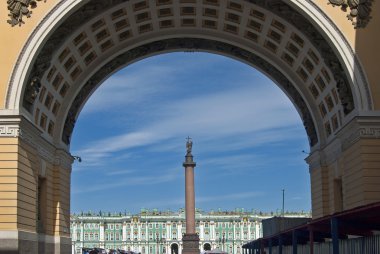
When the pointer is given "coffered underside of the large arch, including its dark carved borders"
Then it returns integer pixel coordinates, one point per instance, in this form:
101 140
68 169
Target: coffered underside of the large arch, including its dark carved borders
100 37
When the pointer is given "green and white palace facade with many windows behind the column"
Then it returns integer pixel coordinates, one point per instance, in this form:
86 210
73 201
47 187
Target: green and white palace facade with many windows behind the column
155 232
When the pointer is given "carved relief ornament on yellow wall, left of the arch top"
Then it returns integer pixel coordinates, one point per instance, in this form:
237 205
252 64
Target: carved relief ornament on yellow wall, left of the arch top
20 8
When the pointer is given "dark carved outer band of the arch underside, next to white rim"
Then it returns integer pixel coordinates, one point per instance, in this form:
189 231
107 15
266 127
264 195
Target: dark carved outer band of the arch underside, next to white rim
278 7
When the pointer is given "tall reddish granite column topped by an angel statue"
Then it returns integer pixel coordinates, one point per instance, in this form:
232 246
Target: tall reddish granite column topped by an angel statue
190 238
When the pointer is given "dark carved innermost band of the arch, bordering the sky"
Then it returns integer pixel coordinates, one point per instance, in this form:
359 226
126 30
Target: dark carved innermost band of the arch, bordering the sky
193 44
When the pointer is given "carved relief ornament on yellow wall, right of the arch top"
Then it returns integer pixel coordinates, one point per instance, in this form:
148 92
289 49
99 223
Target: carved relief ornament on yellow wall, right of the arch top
359 10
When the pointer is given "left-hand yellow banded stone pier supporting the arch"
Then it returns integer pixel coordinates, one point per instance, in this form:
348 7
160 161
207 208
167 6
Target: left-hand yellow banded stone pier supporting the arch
27 188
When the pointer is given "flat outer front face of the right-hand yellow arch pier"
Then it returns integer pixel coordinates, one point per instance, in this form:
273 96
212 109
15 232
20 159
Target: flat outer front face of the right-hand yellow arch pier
361 162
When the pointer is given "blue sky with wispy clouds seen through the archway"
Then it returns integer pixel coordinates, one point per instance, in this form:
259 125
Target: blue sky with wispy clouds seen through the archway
247 139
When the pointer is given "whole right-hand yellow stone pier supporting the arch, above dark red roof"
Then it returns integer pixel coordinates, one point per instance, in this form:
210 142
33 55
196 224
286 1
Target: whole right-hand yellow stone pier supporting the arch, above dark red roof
344 174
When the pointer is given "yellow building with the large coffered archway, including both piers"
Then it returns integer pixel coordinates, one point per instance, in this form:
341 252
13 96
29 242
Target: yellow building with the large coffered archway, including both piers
322 53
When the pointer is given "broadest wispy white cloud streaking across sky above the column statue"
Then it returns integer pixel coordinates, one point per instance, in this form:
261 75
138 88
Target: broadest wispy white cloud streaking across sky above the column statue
222 115
